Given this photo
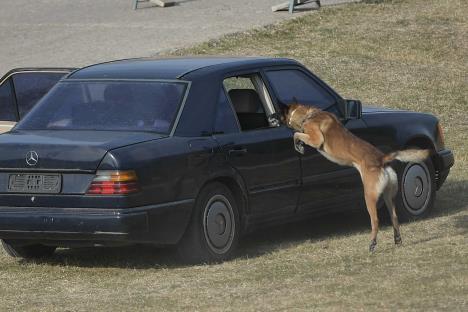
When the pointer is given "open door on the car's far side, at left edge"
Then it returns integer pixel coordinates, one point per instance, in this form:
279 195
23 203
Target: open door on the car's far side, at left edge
22 88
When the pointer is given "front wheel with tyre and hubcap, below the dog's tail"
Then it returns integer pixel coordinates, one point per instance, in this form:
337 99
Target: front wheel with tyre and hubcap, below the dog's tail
416 190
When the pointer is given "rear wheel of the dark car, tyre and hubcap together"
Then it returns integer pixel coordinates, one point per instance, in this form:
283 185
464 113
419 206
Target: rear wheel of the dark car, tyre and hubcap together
213 231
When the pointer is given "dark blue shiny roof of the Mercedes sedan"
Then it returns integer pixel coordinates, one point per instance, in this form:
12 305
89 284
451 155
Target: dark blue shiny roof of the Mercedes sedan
170 68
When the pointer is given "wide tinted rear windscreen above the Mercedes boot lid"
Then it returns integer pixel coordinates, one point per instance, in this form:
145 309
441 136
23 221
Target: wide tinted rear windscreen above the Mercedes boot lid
107 105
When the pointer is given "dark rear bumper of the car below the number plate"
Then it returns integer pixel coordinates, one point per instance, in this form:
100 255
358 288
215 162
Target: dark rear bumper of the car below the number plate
157 224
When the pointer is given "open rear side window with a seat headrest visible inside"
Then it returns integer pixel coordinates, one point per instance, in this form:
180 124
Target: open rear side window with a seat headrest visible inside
249 101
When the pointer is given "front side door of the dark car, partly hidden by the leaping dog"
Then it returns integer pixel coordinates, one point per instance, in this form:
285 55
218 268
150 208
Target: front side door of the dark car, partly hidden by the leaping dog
324 183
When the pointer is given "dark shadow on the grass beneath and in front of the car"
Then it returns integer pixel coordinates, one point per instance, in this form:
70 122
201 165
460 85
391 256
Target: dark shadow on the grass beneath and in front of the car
451 200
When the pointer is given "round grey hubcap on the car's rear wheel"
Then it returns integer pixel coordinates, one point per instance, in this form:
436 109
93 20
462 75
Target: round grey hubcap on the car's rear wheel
219 225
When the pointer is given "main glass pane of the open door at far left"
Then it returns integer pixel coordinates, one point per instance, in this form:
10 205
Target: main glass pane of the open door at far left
30 87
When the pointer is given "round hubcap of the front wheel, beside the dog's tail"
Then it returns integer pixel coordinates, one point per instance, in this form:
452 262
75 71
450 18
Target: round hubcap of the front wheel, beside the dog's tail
416 188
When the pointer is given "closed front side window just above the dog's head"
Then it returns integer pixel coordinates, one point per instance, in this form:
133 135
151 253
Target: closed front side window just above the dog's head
293 85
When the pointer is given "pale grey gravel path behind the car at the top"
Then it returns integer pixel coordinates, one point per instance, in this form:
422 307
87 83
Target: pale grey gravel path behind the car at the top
81 32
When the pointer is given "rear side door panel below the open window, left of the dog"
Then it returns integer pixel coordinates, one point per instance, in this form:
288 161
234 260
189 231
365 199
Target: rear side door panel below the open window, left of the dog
269 165
